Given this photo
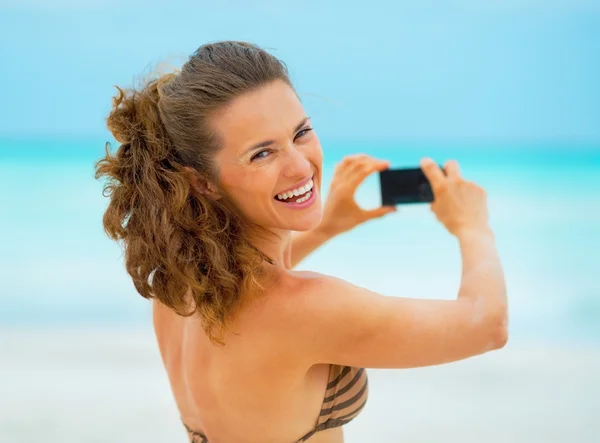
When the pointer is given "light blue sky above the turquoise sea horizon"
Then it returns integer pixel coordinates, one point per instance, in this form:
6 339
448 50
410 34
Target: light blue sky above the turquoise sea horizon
459 69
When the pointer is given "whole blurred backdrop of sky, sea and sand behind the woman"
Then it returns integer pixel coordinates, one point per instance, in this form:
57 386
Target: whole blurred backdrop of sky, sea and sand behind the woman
509 88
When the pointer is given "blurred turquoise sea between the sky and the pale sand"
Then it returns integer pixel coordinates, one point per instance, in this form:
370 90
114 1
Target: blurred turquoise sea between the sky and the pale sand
57 266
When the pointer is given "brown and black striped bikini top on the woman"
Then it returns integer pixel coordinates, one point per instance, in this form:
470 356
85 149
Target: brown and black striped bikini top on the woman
345 396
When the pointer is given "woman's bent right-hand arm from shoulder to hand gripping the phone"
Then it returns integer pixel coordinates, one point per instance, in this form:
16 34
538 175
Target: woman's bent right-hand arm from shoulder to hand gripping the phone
334 321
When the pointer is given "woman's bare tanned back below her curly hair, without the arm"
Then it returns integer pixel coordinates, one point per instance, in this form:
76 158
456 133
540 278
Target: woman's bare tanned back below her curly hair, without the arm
246 391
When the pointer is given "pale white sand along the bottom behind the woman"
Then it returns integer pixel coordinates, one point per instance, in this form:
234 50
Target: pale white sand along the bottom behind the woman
95 386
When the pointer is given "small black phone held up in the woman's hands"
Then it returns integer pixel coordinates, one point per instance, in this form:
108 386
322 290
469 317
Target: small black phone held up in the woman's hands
403 186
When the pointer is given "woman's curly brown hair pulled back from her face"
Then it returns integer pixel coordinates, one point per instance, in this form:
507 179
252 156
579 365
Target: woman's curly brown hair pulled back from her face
182 246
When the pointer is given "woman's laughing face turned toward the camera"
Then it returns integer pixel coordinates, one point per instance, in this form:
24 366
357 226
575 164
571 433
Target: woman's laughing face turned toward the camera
269 147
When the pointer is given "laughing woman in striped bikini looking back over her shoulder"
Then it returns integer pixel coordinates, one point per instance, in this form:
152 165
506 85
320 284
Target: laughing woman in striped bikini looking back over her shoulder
216 192
